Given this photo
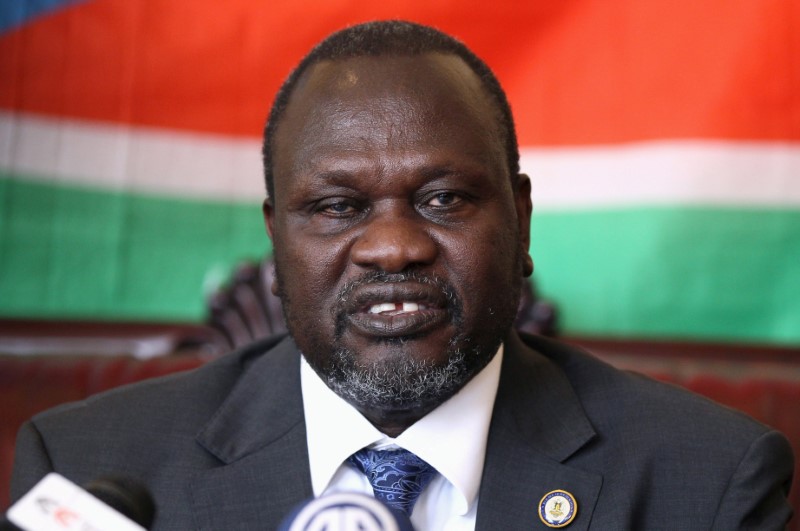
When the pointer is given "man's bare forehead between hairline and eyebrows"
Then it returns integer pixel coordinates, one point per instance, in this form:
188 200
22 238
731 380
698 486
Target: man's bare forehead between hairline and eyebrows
387 105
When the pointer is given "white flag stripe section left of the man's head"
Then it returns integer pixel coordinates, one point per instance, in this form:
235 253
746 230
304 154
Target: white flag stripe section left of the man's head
126 158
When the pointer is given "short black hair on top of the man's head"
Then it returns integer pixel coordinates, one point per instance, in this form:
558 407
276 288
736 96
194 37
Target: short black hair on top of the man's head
391 38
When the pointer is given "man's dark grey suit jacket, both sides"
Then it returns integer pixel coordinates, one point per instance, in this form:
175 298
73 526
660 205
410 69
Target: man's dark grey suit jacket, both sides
223 447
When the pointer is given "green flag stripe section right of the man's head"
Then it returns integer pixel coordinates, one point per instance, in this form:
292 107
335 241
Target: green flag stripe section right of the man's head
704 273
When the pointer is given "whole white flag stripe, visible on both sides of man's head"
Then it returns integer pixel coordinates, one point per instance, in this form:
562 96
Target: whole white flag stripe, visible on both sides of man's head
195 165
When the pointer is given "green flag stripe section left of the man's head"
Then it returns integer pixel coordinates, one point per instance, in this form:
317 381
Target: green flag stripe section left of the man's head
82 253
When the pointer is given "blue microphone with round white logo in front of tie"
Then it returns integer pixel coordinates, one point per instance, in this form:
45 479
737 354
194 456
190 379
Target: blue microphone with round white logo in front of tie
345 511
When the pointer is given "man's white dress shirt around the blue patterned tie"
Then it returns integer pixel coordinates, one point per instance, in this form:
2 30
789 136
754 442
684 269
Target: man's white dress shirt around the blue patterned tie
451 438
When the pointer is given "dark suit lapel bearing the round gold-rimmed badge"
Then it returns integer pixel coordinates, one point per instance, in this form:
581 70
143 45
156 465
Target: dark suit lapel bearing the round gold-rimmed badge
538 423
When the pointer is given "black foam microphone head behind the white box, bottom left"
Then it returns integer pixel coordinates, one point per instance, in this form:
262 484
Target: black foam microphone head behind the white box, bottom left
126 496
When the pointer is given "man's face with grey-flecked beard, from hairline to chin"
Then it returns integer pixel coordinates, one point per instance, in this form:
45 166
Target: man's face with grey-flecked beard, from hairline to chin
398 234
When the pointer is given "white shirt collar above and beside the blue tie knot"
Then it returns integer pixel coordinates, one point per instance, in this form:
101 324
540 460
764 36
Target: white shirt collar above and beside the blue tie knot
451 438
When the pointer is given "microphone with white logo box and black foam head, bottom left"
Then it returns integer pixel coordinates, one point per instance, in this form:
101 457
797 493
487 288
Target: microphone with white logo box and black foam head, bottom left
110 503
